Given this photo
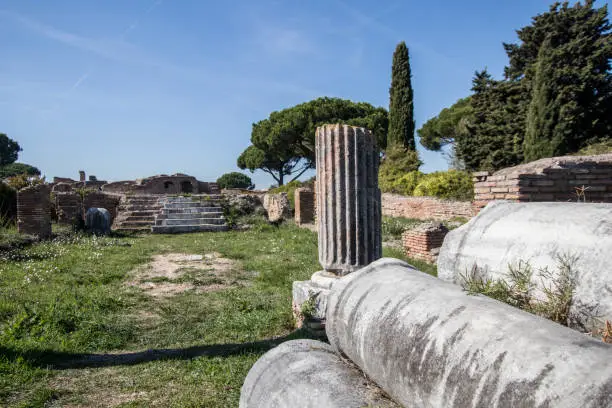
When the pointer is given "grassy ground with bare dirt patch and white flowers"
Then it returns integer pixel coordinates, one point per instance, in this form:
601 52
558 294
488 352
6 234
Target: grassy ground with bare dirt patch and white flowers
78 329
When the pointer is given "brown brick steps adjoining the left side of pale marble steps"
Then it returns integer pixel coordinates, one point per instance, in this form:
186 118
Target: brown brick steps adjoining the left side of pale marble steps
137 213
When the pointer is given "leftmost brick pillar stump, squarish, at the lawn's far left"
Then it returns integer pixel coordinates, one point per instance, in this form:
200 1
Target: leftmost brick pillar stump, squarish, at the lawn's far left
34 211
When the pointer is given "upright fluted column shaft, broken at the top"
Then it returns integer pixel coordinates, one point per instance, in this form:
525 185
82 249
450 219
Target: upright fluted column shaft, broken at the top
348 198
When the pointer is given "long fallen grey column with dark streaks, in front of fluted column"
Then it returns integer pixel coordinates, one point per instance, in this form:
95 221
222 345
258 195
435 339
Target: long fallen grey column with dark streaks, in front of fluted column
428 343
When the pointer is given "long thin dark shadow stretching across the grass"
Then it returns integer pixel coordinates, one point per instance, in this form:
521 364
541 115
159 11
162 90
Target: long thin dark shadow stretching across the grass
58 360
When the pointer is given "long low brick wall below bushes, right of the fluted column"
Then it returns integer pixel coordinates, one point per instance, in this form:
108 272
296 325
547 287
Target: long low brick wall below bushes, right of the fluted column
424 208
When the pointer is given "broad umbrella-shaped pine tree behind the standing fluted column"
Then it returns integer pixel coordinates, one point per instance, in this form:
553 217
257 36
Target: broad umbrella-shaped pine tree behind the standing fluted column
283 144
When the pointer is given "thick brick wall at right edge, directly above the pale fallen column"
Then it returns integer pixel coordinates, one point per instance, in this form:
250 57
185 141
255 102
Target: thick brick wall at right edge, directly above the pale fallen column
568 178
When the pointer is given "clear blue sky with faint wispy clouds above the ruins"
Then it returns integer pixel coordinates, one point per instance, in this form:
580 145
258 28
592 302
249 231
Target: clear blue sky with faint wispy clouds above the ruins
131 88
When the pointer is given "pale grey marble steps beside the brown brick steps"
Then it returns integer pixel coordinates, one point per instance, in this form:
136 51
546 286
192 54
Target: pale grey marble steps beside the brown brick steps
190 214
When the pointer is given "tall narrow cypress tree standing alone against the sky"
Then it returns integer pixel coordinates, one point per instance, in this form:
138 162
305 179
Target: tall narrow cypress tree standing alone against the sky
401 105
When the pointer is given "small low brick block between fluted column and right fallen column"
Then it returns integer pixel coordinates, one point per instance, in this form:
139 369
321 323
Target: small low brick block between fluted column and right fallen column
424 241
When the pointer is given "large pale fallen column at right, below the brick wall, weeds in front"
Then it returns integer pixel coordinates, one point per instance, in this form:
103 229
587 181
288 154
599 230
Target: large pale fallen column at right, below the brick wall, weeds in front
505 233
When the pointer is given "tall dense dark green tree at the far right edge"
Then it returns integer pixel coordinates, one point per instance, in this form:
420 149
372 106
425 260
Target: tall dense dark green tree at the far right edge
570 79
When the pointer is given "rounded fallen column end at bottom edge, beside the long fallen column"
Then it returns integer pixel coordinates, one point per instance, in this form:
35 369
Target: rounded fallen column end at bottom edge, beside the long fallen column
307 374
